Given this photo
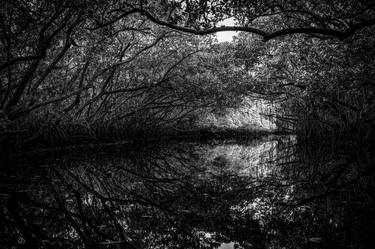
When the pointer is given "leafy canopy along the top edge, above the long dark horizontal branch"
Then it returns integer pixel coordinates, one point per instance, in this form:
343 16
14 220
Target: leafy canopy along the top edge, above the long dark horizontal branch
268 19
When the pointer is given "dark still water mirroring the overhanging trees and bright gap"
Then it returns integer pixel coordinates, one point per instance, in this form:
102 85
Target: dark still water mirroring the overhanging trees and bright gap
266 193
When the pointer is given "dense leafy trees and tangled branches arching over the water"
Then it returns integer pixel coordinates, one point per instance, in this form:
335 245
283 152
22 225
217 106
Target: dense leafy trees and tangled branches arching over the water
94 68
